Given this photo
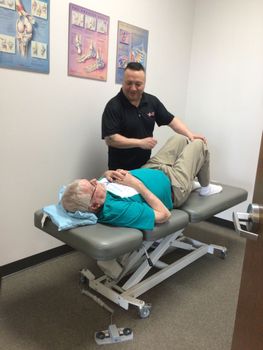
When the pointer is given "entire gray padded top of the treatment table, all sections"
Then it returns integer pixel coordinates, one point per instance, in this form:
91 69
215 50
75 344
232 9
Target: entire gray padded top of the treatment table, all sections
103 242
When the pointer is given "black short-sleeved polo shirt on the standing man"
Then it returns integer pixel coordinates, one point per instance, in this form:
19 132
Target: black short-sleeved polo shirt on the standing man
121 117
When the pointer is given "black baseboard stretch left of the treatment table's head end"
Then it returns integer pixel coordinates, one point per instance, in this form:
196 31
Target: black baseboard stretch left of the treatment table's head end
33 260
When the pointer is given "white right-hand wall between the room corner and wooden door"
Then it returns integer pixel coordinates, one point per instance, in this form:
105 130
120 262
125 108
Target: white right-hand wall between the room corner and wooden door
225 90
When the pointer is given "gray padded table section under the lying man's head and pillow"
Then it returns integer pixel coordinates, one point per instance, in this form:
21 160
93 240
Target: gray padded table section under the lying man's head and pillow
100 242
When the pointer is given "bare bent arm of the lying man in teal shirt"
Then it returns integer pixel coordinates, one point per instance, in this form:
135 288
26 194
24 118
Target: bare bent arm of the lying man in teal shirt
161 213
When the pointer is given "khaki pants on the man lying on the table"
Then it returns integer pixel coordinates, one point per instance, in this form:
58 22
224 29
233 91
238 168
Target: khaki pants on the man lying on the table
182 160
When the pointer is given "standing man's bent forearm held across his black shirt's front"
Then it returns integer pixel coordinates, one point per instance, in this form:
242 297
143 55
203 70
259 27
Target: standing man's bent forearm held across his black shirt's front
119 141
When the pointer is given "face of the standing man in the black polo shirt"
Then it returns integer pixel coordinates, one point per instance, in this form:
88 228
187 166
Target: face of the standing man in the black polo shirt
133 85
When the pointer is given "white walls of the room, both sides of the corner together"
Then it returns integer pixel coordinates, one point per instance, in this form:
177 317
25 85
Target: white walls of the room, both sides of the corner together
50 124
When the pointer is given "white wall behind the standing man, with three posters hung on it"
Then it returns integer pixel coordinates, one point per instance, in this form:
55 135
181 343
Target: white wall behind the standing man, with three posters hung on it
50 124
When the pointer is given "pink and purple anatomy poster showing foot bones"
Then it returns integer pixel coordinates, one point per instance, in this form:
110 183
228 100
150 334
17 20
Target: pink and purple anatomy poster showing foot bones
88 43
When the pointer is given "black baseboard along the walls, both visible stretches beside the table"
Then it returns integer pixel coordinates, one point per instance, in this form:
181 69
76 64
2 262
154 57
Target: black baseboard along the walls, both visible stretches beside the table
55 252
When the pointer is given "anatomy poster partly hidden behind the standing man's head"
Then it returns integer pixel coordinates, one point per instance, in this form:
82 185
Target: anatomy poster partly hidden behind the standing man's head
132 45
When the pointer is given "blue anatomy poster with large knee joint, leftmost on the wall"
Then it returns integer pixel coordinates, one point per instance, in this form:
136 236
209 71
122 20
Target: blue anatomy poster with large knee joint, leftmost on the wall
24 35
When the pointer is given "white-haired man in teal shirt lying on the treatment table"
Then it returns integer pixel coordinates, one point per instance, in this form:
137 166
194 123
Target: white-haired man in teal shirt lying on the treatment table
142 197
